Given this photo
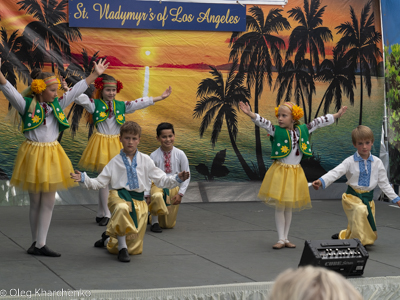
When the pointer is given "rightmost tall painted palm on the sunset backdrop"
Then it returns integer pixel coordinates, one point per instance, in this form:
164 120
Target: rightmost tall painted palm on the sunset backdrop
360 39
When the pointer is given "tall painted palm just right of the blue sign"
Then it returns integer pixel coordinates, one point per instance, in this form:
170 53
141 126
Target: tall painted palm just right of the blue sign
258 48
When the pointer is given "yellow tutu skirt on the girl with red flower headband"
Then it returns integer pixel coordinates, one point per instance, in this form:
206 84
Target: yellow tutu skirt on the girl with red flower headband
100 149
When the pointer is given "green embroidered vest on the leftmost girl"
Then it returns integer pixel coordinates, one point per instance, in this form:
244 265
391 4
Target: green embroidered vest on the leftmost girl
30 123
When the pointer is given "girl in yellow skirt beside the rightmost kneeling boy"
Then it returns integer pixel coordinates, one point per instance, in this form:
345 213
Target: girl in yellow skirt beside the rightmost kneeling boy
285 185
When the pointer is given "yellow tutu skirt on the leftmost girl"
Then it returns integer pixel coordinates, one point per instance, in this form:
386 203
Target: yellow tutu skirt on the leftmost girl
42 167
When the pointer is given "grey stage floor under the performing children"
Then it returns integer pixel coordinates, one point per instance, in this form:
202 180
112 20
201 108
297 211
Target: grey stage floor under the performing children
213 243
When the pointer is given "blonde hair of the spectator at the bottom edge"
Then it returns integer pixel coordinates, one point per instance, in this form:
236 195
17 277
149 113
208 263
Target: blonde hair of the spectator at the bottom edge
313 283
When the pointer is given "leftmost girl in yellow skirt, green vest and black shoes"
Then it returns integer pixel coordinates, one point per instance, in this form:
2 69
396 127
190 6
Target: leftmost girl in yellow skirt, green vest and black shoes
41 166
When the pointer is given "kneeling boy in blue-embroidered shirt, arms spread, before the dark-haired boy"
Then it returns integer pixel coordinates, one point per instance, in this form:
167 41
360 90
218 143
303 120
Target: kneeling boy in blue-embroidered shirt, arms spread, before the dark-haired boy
129 175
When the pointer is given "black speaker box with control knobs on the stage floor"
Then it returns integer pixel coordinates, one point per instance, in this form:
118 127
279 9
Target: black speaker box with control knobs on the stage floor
347 257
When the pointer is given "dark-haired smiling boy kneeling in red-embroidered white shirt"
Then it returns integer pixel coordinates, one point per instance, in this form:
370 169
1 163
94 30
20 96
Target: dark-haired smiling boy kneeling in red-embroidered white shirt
164 203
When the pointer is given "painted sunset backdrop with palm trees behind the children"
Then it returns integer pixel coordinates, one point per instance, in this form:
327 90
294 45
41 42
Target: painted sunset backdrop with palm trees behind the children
320 54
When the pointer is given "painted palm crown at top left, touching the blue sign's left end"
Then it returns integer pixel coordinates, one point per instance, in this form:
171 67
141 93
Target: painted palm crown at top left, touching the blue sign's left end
50 34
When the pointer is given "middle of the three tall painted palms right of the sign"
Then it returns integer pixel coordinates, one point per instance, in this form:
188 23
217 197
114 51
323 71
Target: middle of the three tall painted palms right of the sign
310 37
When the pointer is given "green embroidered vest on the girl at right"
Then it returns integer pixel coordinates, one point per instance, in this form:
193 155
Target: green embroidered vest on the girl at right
282 143
